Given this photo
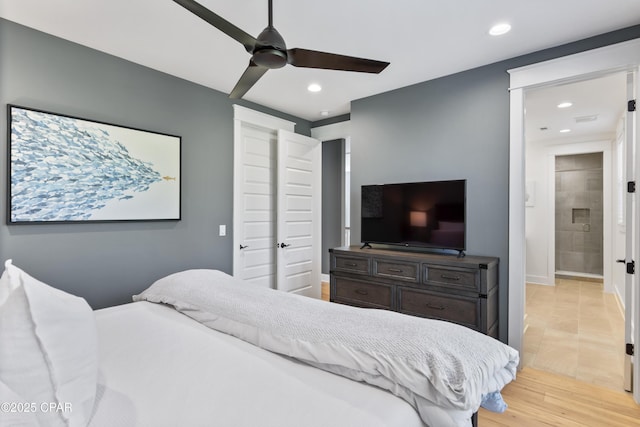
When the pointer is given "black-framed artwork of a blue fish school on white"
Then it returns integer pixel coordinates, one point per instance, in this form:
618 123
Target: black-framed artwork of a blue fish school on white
68 169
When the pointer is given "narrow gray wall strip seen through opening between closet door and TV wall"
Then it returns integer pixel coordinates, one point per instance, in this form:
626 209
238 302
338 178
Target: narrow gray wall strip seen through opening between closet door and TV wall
332 172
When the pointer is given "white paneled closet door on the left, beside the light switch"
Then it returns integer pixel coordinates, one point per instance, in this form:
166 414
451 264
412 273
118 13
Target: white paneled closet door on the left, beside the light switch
255 206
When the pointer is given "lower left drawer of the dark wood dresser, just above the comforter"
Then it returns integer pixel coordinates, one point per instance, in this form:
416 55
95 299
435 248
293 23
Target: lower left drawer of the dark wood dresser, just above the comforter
362 293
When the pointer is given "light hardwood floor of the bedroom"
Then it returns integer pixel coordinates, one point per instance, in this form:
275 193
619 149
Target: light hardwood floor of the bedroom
539 398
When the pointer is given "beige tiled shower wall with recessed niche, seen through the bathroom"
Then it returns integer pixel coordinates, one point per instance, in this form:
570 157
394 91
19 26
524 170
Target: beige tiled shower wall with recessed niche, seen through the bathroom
579 213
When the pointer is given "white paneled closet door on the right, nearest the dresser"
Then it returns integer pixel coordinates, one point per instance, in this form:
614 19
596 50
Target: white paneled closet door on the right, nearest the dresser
299 214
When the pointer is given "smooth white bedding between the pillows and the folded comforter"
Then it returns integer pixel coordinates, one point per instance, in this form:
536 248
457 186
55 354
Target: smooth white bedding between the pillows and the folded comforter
161 368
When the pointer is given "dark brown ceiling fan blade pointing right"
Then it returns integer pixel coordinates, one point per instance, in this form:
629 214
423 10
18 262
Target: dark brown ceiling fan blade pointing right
331 61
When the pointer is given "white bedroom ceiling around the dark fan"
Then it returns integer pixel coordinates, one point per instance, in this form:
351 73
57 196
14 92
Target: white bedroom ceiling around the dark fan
423 39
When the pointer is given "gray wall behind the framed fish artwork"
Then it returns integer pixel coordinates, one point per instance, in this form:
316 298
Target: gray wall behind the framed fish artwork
107 263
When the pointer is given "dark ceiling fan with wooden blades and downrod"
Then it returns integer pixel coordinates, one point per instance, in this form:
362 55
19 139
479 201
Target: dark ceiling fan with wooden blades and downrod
268 51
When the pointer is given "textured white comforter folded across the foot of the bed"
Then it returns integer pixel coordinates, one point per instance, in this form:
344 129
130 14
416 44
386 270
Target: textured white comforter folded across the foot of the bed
423 361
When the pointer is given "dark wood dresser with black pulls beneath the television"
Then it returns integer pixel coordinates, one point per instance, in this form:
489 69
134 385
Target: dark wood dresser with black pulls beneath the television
461 290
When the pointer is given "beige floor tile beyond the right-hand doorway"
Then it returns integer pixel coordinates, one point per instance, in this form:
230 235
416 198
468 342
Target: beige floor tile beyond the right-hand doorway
575 329
